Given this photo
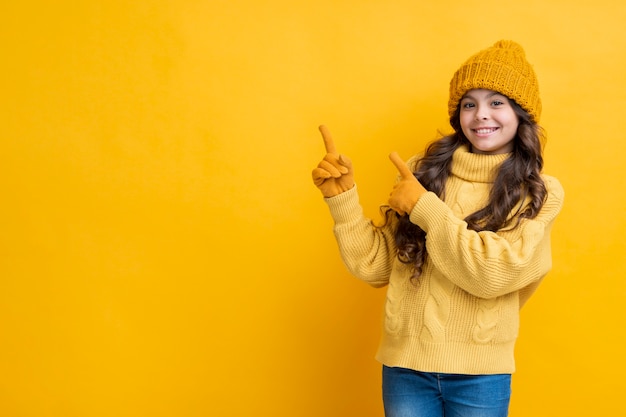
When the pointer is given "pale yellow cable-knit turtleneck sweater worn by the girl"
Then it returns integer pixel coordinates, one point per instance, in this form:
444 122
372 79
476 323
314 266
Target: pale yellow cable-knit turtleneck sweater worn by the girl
462 315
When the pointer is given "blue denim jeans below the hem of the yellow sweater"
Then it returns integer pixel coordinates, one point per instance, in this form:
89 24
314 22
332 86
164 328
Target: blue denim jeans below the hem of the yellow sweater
408 393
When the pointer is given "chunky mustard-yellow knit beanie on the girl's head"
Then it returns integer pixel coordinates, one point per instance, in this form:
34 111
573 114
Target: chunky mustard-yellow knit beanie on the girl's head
502 68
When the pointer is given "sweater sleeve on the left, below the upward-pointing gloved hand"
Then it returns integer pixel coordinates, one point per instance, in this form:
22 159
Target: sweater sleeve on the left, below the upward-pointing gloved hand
368 251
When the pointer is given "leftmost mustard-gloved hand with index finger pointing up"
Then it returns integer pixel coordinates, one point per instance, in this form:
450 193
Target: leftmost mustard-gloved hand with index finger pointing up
334 174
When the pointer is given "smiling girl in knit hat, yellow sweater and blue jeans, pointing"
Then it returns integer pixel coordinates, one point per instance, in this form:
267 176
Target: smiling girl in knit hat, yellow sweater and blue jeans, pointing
465 243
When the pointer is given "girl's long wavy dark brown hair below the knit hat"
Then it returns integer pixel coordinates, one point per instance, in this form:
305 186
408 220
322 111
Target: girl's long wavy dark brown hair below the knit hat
518 180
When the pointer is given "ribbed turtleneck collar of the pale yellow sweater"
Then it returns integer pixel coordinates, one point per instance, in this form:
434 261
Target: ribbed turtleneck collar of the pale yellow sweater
475 167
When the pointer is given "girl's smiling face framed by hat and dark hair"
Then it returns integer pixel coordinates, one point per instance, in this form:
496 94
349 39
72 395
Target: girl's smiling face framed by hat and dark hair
488 121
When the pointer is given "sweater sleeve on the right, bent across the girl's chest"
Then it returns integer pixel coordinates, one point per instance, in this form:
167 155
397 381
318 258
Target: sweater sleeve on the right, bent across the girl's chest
489 264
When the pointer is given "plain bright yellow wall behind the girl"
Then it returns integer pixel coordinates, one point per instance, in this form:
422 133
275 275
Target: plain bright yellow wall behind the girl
164 253
